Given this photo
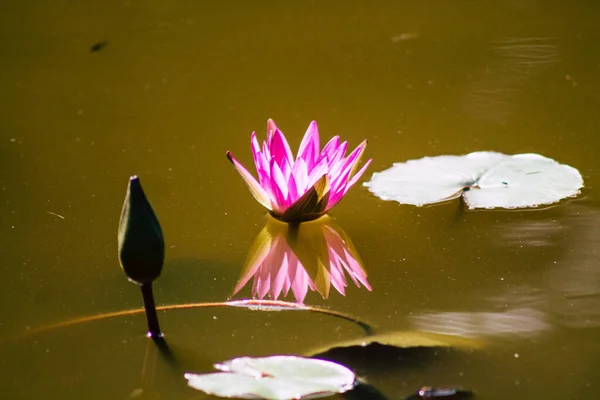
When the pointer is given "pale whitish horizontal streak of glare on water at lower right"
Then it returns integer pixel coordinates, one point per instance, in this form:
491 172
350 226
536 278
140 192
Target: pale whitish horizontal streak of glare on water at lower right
522 322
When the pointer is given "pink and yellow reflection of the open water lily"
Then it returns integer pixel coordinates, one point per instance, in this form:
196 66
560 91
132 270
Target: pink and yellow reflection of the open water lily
296 257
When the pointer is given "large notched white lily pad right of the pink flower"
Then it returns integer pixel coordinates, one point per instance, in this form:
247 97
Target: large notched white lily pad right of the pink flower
484 179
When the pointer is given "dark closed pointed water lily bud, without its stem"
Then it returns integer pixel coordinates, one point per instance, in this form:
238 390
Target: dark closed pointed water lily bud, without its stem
140 239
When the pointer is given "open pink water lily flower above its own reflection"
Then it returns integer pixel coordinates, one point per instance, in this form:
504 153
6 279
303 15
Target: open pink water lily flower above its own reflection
302 188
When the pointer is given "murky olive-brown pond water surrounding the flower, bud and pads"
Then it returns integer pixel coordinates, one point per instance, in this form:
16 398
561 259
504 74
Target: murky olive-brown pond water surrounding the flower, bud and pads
93 92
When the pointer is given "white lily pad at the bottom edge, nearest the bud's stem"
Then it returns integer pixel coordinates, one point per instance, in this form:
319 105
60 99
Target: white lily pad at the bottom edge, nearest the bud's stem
277 377
